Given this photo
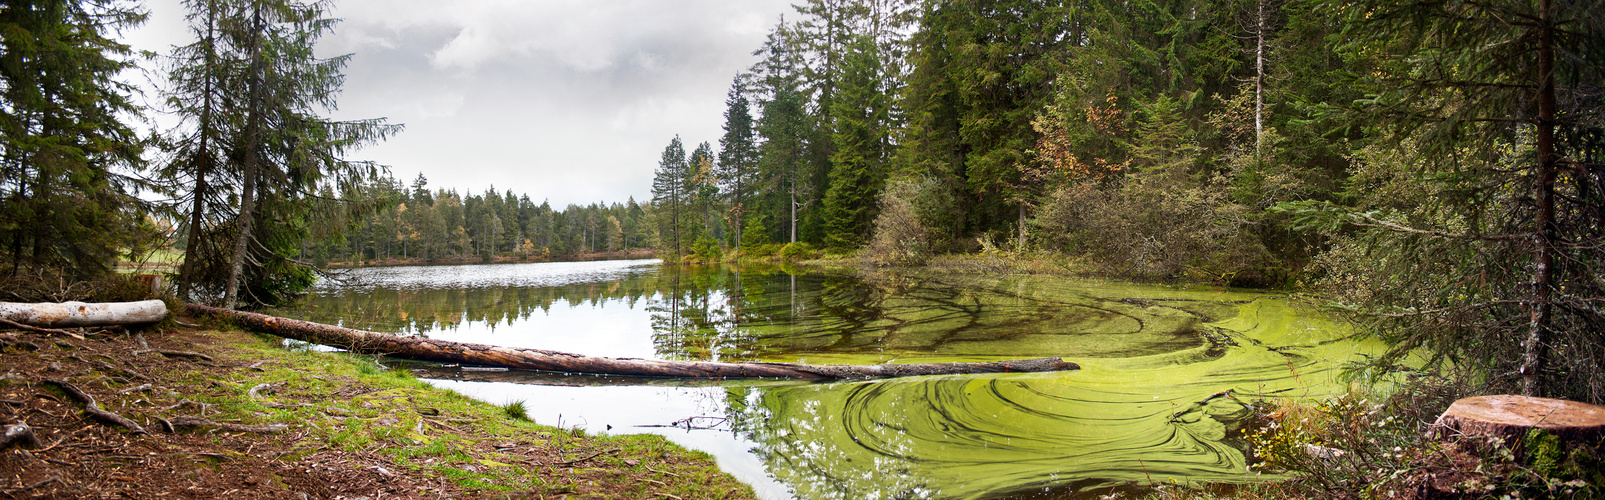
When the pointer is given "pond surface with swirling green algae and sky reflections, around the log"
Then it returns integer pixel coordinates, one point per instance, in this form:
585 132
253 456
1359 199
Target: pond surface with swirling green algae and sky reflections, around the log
1132 414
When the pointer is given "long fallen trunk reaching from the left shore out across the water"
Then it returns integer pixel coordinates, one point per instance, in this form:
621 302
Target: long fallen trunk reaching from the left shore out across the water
555 361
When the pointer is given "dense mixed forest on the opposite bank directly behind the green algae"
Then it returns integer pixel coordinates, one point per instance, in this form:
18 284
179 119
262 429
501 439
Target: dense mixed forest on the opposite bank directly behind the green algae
1152 139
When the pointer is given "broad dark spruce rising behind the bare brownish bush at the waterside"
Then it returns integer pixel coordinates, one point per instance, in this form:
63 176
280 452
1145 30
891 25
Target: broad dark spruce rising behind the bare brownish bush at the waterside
981 73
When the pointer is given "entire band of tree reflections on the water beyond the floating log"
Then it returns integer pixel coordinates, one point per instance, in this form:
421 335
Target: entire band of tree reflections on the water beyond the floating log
766 313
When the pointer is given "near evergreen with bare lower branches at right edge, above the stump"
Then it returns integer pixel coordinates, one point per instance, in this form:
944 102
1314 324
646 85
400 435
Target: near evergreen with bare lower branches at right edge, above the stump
1489 116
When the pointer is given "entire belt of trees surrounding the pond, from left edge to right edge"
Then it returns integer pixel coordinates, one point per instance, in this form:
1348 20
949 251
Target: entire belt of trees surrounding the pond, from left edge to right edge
1434 167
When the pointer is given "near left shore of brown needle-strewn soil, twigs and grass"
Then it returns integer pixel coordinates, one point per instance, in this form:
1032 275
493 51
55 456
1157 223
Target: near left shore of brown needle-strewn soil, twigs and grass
219 413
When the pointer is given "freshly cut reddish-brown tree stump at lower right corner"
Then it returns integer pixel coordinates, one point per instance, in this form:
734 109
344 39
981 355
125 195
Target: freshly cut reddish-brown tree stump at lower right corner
1513 417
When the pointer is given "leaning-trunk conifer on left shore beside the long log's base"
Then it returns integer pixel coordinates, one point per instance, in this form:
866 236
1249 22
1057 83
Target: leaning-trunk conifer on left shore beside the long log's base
254 76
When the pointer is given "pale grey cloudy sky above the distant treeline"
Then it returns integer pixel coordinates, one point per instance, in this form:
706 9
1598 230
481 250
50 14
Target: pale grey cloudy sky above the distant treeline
561 100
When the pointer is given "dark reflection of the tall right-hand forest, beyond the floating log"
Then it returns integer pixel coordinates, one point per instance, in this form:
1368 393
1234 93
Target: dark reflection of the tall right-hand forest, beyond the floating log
755 315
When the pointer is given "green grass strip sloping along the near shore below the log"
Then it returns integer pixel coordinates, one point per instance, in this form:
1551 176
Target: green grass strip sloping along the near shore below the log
351 403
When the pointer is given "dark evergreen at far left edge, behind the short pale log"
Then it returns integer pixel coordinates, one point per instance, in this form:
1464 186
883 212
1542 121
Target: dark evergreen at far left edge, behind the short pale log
65 156
